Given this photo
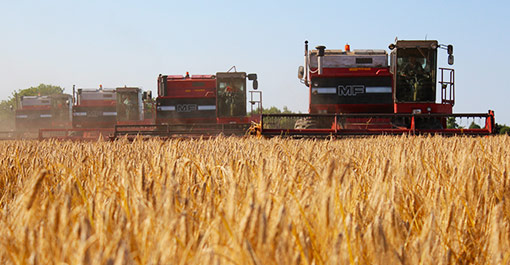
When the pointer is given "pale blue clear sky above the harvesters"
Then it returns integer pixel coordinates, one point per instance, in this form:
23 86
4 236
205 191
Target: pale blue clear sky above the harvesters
117 43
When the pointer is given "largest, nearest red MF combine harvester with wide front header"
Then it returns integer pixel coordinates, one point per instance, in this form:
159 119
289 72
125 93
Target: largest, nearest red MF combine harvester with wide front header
358 93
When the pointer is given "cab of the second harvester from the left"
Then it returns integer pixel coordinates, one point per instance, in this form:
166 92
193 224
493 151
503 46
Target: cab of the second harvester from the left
129 104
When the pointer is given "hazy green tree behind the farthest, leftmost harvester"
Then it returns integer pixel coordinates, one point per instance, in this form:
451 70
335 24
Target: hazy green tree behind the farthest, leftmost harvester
8 106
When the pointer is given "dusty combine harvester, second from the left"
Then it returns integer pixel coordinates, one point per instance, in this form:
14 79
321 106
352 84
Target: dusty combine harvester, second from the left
96 112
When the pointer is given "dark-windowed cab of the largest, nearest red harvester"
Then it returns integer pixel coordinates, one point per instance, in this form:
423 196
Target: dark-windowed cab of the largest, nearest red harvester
415 73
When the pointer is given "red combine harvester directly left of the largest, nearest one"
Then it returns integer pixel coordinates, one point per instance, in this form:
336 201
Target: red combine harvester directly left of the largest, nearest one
199 105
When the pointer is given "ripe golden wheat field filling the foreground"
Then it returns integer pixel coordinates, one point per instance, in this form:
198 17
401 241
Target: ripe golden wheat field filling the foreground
380 200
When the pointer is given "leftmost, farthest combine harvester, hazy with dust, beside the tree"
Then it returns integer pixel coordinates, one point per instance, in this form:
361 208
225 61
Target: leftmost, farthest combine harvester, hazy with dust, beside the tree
39 112
